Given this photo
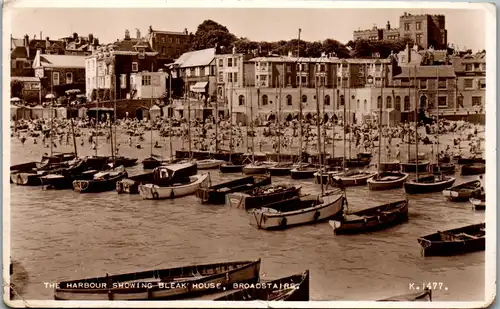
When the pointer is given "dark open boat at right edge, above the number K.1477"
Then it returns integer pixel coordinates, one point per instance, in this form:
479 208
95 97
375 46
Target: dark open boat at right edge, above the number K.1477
465 239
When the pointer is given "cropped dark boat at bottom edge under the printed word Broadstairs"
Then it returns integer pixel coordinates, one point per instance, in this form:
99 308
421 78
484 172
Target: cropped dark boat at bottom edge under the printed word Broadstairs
292 288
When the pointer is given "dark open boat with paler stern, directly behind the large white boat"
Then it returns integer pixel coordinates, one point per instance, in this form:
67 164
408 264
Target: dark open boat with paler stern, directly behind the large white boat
262 196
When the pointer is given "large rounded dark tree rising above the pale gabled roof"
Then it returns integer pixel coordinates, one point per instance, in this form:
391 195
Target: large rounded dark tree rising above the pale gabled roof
209 34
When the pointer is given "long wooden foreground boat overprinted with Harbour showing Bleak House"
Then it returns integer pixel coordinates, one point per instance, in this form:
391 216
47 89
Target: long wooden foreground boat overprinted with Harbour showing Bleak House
173 283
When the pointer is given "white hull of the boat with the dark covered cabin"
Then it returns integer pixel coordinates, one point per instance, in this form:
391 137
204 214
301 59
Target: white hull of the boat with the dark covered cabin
154 192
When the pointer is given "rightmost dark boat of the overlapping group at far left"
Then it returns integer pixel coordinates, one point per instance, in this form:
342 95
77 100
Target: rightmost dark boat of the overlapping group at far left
102 182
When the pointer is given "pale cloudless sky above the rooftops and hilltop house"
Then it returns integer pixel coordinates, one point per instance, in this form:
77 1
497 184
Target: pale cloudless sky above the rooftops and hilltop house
466 27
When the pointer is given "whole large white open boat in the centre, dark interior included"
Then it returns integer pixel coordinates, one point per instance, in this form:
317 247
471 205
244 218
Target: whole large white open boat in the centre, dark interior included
317 208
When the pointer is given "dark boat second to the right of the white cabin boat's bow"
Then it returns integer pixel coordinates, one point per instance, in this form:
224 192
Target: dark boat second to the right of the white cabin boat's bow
216 194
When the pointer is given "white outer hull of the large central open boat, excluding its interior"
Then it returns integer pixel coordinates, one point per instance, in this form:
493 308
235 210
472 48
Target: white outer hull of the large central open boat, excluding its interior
330 206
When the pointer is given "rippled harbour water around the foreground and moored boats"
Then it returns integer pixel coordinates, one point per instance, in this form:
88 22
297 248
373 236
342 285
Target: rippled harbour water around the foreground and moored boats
62 235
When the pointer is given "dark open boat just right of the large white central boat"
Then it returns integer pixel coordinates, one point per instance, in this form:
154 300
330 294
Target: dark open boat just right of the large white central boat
371 219
